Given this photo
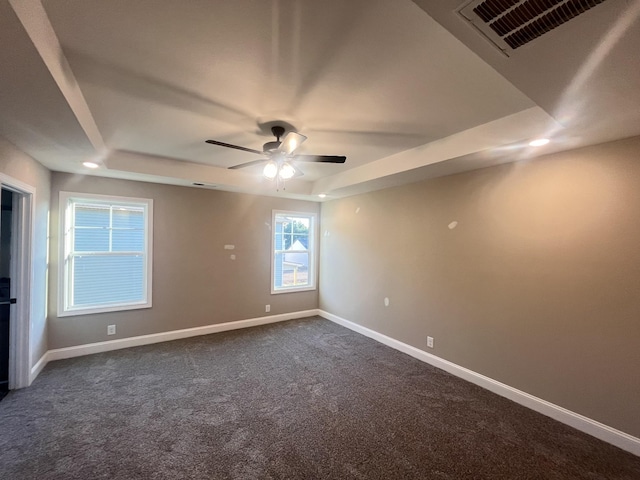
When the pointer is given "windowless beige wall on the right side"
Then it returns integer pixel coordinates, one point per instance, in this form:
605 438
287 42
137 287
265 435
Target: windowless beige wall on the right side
537 286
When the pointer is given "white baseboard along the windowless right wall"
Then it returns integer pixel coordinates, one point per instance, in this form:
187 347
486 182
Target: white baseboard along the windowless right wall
580 422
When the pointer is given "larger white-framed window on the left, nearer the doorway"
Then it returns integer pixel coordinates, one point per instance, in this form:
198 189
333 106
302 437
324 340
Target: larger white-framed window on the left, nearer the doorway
106 248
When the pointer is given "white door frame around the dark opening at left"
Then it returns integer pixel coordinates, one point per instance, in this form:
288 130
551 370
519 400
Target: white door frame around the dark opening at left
21 280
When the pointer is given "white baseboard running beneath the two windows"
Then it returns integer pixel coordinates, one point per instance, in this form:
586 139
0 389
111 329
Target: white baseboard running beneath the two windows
91 348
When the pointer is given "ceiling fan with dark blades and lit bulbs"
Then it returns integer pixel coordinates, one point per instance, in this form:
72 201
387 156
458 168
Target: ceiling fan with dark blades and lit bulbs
279 155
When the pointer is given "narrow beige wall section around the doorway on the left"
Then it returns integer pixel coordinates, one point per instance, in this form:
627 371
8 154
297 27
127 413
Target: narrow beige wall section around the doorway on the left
23 168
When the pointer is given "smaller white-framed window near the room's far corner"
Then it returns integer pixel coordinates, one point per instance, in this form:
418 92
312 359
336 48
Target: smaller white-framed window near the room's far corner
294 255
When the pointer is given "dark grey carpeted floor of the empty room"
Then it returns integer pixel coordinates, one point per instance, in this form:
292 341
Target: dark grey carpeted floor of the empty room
305 399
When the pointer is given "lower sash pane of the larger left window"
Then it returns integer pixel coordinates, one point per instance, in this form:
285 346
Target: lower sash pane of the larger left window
107 279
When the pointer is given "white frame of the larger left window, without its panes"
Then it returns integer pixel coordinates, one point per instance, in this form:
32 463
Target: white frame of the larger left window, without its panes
64 291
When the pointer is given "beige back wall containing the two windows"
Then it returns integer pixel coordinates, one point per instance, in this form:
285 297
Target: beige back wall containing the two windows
195 282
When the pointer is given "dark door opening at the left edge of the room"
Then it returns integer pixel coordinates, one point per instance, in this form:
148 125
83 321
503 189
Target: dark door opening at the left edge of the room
6 221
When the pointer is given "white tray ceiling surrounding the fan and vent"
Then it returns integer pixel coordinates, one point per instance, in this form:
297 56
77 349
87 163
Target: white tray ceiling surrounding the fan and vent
405 90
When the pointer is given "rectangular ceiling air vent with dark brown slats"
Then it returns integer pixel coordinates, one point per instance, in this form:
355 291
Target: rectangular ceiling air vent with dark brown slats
509 24
